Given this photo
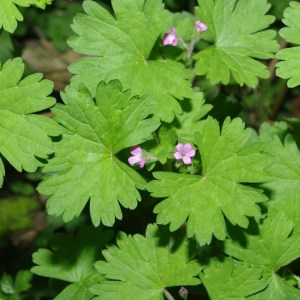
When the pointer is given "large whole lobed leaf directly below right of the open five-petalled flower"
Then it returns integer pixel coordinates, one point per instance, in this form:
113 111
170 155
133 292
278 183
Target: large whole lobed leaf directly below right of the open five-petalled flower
230 159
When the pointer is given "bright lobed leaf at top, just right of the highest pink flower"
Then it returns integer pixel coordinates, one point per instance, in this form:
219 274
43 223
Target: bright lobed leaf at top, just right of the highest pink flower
237 32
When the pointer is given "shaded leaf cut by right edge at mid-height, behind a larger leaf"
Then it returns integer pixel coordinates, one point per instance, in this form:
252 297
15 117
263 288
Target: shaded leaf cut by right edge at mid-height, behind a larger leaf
284 178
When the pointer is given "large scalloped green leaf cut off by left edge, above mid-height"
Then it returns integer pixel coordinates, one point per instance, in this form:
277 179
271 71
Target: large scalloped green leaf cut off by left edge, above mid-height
24 136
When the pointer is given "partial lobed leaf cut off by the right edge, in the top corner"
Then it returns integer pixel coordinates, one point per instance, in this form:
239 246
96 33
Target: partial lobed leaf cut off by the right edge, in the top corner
289 67
